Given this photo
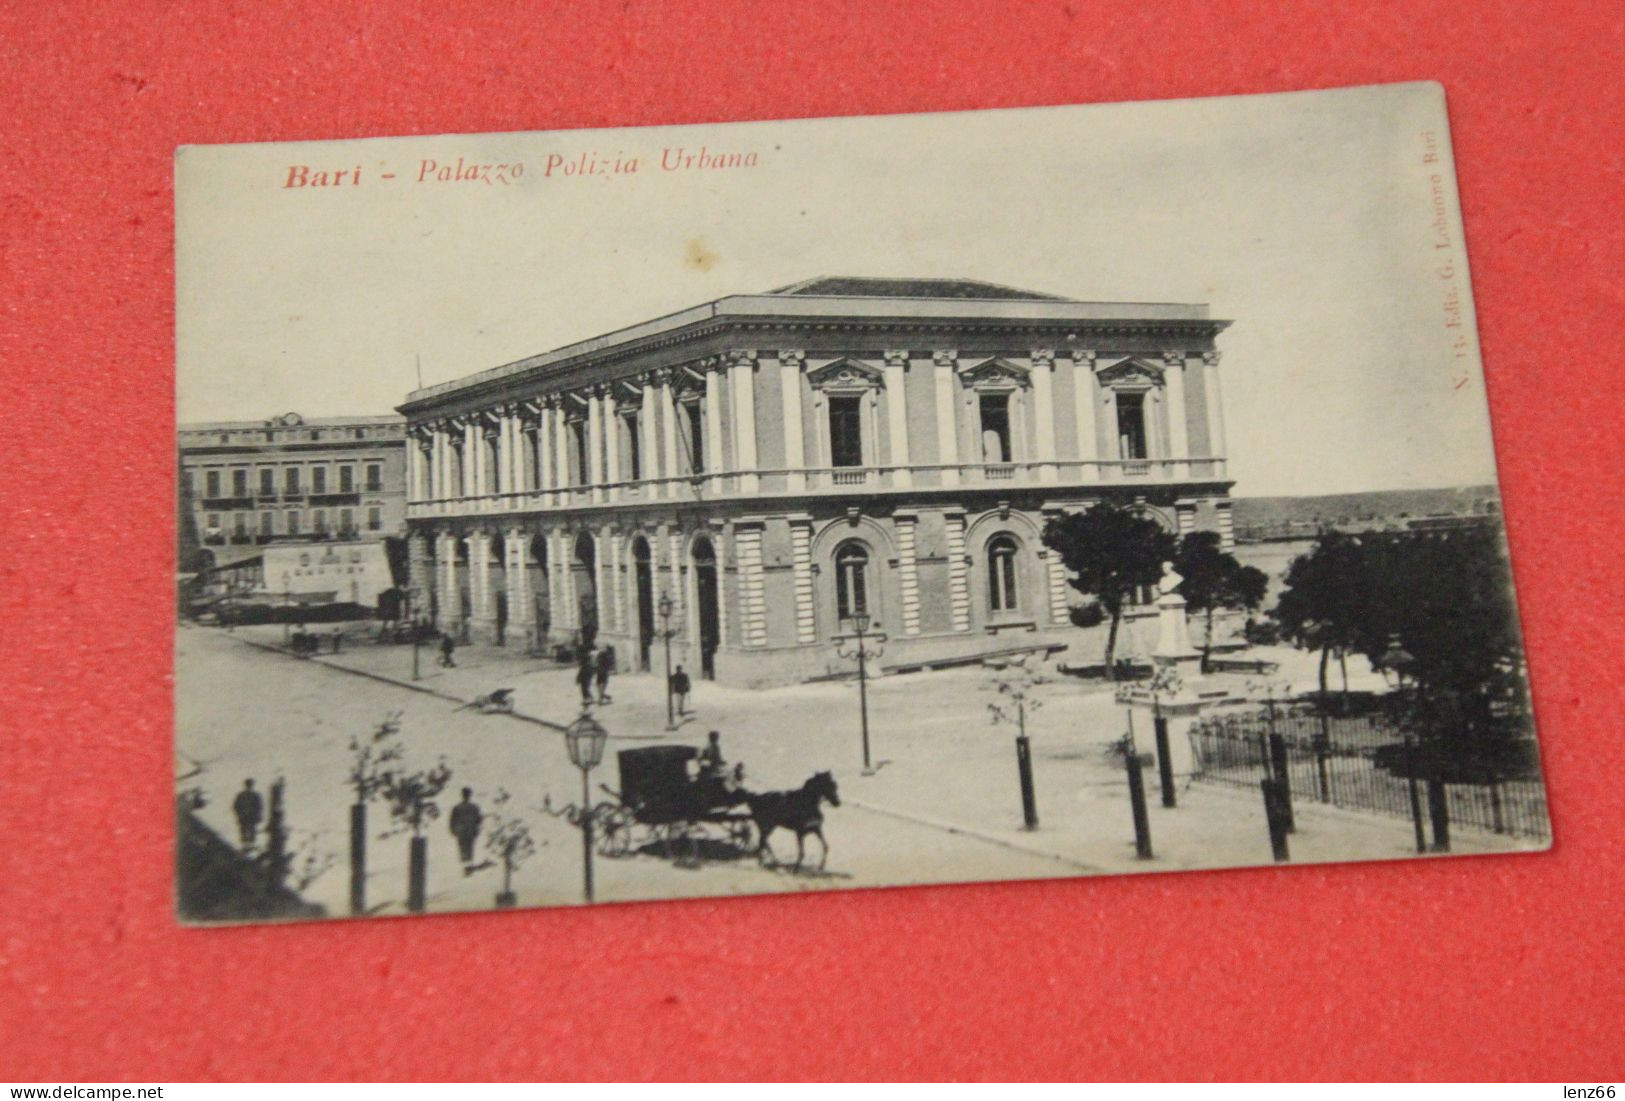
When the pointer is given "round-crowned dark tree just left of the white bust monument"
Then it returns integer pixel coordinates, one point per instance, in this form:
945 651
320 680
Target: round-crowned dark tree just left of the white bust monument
1111 551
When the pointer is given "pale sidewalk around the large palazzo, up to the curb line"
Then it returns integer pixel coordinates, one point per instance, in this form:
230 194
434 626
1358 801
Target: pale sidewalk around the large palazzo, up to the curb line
940 762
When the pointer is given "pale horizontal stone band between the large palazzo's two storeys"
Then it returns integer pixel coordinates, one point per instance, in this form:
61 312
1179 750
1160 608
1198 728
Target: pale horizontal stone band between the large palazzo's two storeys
828 481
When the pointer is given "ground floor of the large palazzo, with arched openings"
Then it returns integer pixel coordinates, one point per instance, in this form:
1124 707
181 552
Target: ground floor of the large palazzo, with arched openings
760 597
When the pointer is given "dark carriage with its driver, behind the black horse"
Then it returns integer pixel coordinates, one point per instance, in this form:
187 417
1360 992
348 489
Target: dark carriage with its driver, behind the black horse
662 803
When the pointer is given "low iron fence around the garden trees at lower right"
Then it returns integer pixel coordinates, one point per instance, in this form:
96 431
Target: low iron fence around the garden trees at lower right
1330 759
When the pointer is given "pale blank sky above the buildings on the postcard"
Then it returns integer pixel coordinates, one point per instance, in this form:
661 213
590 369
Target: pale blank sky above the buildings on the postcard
1324 225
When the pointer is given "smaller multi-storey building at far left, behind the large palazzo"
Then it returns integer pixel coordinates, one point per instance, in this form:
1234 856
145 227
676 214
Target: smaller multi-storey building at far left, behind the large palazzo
258 494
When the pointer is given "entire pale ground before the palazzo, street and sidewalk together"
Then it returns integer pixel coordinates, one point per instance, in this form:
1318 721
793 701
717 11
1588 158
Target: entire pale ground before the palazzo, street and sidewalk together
943 806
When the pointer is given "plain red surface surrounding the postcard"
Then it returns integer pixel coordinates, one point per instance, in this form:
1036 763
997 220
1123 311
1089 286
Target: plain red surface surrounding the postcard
1449 969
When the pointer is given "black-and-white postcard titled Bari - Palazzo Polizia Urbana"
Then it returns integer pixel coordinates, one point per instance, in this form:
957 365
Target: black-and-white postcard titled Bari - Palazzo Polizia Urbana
852 503
